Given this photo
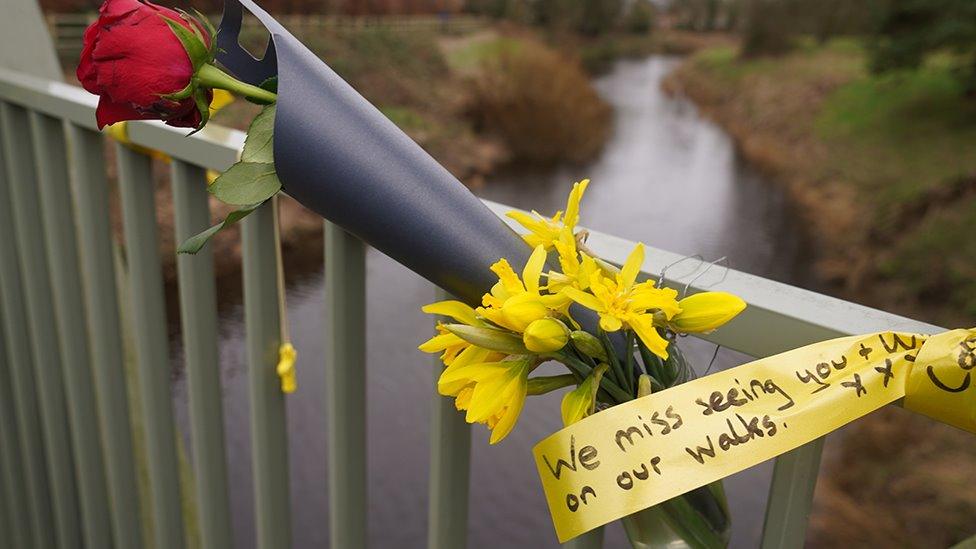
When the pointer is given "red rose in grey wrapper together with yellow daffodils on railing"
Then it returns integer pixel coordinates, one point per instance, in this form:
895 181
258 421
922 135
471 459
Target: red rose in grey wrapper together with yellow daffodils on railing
343 159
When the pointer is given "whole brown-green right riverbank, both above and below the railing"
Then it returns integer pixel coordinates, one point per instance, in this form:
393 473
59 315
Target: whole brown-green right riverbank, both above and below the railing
883 175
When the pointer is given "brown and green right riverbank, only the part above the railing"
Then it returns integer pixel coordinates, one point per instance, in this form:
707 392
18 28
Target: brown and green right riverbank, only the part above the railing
881 168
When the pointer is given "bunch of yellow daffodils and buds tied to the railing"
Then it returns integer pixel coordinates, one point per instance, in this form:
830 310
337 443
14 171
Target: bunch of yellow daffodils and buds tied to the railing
490 352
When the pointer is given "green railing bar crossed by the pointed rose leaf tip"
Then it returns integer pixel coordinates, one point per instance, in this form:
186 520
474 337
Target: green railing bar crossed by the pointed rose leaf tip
198 313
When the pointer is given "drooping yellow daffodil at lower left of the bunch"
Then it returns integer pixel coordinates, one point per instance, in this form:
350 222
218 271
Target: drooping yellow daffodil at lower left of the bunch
493 392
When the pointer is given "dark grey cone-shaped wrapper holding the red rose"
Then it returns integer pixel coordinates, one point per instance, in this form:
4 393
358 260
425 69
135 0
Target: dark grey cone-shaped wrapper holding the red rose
340 157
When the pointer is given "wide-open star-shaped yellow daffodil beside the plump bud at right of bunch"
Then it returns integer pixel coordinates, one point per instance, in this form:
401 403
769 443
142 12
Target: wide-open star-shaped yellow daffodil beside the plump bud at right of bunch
622 302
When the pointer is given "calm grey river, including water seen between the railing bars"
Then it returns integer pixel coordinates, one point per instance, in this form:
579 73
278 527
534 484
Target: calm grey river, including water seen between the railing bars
666 177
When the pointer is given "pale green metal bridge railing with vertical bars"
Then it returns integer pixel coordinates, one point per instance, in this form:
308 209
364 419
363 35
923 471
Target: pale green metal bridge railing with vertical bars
67 456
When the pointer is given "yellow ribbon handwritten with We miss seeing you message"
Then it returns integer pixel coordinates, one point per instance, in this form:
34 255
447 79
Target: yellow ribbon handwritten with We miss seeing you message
636 455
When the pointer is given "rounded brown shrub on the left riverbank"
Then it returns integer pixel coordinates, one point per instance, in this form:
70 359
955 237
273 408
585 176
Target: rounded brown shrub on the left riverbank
541 104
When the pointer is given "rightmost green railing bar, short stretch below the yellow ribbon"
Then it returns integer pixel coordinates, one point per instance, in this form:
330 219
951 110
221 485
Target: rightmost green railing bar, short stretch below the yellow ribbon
791 496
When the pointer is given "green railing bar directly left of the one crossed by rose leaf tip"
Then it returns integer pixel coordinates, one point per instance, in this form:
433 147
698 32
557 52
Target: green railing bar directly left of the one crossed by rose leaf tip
148 315
